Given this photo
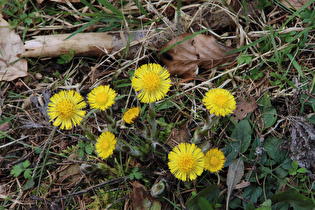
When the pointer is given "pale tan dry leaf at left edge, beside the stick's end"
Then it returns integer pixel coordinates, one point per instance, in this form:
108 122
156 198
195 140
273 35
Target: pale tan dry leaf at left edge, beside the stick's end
11 47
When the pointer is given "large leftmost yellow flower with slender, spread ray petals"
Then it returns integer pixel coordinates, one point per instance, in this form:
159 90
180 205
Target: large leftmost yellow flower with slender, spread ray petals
66 107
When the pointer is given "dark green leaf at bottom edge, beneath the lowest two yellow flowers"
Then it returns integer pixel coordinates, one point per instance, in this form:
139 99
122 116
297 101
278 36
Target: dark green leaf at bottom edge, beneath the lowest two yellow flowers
210 193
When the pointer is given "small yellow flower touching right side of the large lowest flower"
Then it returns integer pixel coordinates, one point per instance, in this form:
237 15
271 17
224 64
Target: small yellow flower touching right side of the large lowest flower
214 160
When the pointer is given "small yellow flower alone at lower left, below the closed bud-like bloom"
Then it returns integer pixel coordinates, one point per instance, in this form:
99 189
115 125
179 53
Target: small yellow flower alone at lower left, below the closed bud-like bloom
105 144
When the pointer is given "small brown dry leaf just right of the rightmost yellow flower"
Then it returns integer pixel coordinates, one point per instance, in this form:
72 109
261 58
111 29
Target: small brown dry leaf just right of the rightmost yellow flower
244 107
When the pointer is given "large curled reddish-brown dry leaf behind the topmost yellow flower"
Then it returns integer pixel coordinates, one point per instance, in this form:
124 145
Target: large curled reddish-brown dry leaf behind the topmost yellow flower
200 51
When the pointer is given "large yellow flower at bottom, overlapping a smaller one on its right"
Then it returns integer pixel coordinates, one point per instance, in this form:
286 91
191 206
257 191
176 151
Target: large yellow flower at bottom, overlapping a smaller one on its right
186 161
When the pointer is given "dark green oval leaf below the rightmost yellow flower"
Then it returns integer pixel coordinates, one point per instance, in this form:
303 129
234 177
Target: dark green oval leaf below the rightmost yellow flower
242 132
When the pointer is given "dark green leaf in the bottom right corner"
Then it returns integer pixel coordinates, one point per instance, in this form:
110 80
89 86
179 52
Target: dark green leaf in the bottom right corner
294 198
